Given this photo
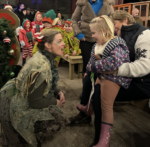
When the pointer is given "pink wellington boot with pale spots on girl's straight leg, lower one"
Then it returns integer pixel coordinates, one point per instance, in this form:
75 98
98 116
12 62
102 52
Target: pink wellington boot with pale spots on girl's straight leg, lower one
105 135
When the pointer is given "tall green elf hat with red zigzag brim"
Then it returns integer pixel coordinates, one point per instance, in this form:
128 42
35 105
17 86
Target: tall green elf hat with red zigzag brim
49 16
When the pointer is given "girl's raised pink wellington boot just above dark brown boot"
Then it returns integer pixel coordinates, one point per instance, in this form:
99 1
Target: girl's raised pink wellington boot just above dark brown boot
85 109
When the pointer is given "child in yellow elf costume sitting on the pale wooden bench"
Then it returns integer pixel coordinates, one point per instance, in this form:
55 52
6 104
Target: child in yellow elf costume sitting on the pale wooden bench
71 42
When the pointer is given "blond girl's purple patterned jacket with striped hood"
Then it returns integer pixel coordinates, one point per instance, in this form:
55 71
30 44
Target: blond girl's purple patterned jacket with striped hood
115 54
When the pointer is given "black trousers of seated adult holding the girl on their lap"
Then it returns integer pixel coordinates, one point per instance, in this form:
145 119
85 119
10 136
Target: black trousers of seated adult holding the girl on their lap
132 93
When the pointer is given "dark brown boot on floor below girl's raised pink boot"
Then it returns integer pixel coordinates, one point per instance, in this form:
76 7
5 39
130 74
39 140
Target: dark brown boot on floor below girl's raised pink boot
80 118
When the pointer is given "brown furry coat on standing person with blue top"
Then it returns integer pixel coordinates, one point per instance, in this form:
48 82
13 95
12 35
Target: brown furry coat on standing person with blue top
85 12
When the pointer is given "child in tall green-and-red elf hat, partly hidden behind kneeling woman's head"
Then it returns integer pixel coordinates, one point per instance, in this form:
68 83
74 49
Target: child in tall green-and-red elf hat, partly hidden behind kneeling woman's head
47 23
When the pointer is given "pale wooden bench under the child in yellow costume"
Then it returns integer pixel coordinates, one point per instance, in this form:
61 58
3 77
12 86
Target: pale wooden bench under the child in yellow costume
74 60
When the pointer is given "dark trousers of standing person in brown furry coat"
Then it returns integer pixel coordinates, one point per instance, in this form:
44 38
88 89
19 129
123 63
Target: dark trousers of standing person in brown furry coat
86 48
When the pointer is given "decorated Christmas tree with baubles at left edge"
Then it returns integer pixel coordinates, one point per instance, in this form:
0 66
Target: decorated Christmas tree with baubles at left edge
7 53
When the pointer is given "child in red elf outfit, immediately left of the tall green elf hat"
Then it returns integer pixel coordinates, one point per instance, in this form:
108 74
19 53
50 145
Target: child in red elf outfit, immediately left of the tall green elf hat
37 23
